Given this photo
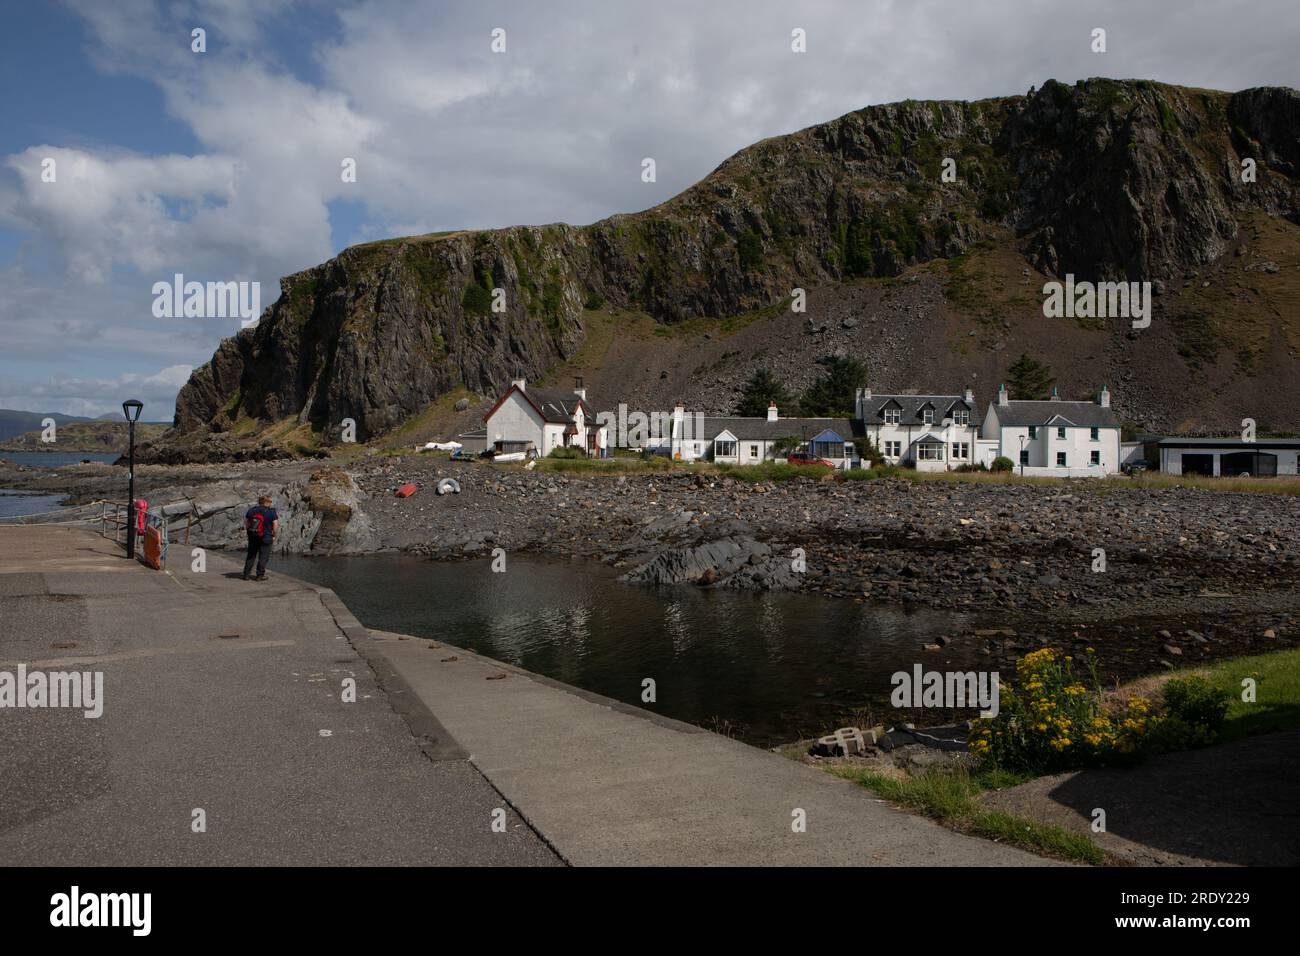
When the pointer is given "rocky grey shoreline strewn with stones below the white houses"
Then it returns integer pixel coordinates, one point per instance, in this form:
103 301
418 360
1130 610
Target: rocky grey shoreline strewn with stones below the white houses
1189 574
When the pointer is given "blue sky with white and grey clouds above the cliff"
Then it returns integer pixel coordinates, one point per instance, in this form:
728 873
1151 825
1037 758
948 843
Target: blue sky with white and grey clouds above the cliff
226 166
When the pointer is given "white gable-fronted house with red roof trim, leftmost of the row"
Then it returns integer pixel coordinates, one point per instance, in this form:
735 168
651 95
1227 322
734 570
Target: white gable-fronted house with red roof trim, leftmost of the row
544 419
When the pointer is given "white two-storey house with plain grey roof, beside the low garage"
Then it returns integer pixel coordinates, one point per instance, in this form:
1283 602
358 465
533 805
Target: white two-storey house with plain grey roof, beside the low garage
1056 438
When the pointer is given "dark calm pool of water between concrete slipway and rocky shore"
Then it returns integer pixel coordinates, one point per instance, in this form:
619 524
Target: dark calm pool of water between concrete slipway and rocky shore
777 667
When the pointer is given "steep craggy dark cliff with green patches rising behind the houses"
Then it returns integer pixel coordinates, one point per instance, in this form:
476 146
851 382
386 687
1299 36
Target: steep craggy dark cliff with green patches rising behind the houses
1104 180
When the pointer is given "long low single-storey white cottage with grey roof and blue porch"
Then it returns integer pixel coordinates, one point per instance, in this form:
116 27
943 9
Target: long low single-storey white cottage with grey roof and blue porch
735 440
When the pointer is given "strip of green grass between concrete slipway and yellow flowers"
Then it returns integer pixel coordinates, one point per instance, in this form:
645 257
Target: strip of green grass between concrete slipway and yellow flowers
952 799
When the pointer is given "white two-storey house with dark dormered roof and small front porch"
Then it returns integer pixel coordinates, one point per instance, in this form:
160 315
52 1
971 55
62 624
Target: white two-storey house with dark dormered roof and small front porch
928 432
